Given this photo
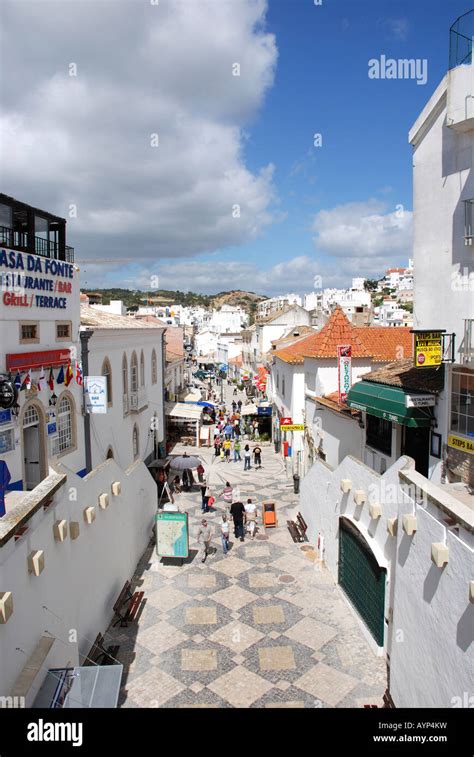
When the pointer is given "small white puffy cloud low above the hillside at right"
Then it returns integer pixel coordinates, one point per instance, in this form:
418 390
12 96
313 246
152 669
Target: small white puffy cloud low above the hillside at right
364 230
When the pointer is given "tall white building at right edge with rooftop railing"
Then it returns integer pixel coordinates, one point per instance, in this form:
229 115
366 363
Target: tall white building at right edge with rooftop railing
443 148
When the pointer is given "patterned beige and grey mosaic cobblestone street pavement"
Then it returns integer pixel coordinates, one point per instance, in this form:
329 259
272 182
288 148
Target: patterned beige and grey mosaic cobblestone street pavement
264 626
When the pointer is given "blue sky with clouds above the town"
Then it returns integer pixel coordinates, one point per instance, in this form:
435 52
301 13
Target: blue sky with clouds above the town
209 145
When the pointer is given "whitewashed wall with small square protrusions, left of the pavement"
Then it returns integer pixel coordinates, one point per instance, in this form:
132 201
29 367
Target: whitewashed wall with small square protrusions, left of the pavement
82 578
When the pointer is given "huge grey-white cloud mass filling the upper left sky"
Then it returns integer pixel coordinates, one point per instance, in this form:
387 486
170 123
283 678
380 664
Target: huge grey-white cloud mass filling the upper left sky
142 69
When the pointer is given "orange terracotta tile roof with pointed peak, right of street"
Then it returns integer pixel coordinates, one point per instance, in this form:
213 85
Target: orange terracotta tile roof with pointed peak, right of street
378 343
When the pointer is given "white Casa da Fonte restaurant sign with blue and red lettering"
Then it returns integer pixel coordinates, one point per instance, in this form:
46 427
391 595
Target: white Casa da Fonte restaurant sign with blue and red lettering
25 283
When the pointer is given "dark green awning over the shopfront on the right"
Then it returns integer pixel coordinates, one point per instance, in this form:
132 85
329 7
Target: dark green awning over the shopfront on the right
388 402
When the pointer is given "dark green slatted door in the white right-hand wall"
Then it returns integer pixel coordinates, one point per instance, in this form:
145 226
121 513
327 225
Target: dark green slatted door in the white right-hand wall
362 579
